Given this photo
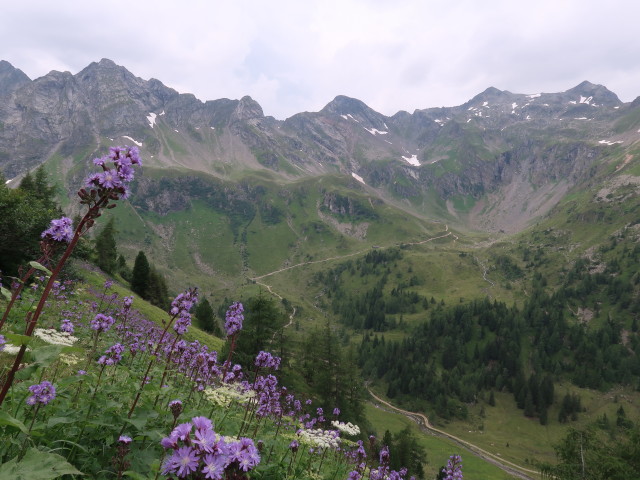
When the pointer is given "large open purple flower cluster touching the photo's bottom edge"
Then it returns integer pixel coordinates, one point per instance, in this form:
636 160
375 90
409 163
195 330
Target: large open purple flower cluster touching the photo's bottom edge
206 453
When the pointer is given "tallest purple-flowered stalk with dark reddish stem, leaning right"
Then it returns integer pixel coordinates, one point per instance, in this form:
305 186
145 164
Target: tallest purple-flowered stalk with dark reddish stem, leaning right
101 189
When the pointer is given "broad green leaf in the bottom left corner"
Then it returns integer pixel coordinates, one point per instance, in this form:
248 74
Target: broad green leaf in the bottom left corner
37 465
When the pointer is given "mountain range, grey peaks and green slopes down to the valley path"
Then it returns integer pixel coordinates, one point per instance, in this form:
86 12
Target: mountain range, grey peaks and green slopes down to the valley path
497 164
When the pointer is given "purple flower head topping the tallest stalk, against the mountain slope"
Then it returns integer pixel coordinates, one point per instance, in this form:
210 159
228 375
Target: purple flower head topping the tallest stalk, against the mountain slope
114 180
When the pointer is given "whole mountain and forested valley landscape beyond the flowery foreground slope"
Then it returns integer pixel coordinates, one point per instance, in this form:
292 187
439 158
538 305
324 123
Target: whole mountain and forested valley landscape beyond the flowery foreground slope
470 257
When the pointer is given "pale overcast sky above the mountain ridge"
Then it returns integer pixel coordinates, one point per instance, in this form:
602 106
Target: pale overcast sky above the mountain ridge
294 56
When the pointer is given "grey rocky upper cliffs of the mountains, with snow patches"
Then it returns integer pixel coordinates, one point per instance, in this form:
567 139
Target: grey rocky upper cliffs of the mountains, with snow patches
496 145
